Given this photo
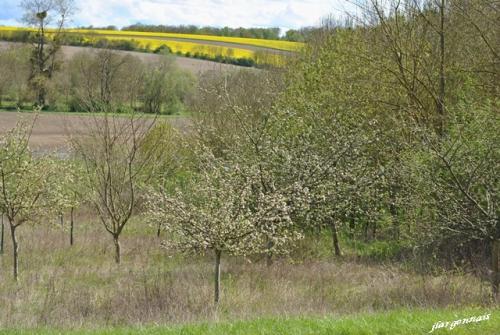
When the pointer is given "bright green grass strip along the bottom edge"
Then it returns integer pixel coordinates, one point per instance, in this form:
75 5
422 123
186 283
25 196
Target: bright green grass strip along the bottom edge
394 322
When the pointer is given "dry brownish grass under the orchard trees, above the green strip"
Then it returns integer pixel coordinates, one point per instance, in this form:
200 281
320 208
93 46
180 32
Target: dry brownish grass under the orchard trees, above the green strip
80 286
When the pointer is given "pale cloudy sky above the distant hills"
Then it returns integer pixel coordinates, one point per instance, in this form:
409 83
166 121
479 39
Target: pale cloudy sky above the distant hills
285 14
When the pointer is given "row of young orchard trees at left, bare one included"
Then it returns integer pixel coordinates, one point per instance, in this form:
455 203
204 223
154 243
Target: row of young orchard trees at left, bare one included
110 163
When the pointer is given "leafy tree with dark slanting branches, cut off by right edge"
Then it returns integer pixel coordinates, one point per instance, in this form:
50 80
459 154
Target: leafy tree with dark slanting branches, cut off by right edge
457 180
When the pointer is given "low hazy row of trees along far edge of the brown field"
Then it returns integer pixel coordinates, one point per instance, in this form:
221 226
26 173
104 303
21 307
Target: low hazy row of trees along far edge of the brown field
103 77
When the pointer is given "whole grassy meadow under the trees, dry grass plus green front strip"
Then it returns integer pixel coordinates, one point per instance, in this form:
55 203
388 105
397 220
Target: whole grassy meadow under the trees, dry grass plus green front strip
79 289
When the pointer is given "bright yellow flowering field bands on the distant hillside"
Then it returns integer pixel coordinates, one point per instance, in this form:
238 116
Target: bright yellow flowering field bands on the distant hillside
235 50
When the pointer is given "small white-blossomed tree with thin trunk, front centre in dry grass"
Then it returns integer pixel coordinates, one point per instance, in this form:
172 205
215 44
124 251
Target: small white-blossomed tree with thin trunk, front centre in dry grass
223 211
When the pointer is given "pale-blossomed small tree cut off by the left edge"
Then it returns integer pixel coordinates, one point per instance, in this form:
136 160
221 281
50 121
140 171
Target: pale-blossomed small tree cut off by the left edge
25 184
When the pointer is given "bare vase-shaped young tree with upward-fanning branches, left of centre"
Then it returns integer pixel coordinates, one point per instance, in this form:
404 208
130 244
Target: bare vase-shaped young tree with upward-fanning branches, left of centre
116 165
